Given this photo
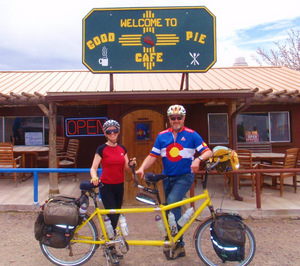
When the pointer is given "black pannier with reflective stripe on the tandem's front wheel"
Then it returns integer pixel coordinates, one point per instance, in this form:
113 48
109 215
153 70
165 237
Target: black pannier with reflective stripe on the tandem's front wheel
228 237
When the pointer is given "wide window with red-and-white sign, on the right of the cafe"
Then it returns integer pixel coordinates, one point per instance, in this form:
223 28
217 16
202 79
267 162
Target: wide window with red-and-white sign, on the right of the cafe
260 127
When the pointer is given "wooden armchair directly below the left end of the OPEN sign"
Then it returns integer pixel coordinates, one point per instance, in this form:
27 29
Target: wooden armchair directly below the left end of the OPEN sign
69 158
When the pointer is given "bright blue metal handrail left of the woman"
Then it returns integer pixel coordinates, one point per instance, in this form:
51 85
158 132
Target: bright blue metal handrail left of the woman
35 172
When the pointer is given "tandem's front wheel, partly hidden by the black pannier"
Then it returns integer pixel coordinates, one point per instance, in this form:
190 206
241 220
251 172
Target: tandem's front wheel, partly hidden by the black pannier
205 250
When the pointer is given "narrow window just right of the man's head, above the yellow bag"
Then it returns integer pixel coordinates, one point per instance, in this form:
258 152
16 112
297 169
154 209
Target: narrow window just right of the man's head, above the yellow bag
218 128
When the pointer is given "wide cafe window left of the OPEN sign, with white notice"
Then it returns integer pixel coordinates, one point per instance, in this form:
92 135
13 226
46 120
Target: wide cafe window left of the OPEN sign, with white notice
26 130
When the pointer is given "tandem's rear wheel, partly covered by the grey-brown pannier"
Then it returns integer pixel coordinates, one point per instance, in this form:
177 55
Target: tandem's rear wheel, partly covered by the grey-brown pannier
75 253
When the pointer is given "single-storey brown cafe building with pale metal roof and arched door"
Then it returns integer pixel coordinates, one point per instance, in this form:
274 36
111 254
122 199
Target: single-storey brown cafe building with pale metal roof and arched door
226 106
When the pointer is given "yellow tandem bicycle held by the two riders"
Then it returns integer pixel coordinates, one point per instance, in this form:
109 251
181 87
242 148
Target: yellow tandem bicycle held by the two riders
89 237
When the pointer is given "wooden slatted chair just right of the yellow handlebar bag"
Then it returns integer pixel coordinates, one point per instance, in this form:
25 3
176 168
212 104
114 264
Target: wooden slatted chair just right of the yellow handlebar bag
245 160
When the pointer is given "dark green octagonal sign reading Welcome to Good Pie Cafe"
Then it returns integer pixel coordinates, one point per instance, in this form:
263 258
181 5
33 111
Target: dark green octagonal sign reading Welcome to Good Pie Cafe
149 40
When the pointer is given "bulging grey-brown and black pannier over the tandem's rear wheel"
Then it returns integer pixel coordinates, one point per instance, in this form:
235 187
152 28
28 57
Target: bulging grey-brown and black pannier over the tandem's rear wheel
56 222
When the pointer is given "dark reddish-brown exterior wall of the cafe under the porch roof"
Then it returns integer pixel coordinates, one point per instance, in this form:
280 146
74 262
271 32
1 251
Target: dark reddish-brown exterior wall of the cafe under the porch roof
196 119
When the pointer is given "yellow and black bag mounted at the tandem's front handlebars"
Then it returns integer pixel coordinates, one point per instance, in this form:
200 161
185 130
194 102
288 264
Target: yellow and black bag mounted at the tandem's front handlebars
228 159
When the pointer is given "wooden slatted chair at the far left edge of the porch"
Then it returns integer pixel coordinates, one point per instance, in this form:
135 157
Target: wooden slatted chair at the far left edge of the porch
7 159
